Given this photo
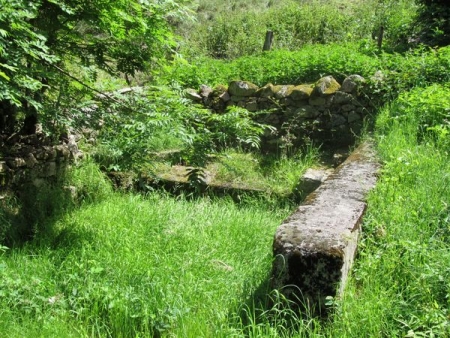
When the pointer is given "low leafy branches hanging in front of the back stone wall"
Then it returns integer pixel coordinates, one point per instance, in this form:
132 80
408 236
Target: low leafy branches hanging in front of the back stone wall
128 138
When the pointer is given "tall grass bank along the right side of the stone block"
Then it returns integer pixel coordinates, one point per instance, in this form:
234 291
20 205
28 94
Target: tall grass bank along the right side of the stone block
400 284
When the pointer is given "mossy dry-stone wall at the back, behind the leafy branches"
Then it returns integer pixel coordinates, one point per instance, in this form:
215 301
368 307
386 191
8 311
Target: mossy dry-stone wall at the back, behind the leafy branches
325 111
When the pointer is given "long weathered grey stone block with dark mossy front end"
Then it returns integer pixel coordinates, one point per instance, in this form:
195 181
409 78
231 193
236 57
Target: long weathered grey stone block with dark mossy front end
314 248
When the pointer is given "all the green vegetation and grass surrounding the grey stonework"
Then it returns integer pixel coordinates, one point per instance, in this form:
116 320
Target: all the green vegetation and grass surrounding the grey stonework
80 260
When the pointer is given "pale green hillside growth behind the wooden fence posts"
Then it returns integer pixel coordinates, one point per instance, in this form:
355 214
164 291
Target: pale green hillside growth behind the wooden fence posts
224 30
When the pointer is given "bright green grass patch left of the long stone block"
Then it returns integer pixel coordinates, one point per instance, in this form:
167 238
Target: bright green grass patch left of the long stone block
134 265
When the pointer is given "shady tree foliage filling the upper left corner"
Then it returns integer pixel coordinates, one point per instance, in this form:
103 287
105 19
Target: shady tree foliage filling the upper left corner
39 41
